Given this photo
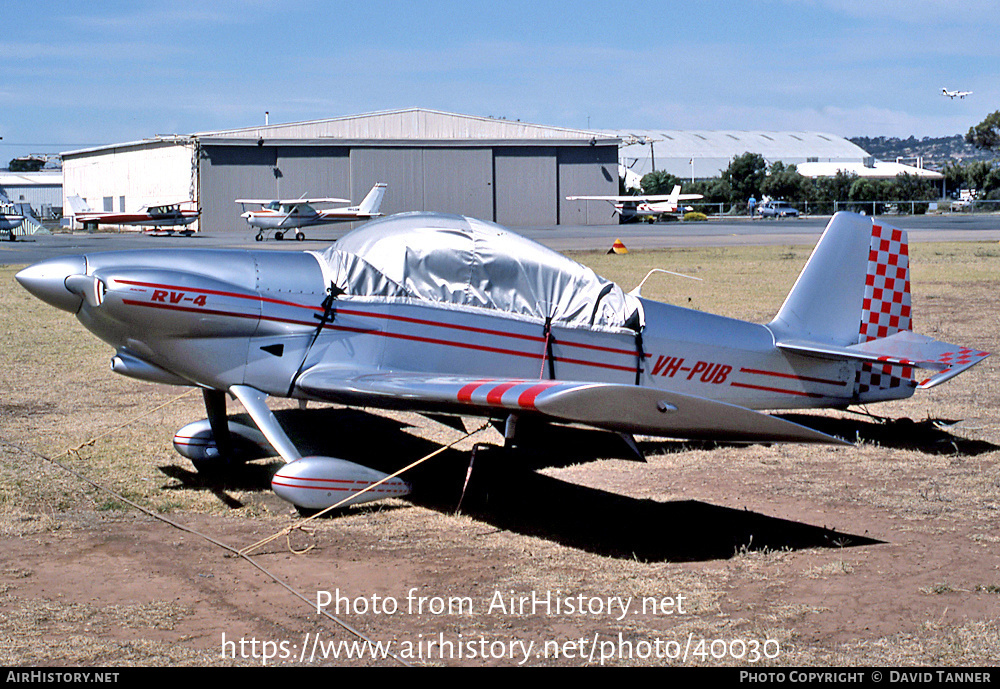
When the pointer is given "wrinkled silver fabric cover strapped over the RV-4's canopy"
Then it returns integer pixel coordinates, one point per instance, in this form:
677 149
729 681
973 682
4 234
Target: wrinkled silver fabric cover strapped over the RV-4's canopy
461 262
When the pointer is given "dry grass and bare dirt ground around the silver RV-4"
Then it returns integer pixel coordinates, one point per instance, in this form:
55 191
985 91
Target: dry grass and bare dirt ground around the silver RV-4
568 553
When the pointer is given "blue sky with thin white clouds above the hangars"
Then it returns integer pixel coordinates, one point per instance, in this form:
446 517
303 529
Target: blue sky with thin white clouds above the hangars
77 74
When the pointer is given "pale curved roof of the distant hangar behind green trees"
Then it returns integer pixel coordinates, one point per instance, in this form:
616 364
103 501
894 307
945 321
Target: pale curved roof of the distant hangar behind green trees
727 144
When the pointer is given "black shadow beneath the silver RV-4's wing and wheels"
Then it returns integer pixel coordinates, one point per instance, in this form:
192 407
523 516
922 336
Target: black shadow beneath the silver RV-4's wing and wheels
506 491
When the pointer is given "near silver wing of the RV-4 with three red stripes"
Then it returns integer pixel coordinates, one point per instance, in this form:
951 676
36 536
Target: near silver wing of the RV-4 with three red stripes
622 408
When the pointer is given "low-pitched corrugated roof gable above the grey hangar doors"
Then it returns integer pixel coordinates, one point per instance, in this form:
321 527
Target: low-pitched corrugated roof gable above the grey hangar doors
408 124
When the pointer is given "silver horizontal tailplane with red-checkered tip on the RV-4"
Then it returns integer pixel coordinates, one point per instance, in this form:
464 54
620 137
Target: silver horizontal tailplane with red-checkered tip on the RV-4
904 348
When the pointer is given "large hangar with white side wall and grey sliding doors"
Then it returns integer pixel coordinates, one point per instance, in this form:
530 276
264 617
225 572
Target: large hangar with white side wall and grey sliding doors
510 172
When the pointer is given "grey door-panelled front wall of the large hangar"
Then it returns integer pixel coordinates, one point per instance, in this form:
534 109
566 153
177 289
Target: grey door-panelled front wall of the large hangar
512 185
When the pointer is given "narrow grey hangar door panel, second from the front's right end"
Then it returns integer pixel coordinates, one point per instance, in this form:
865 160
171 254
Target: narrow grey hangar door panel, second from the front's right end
525 186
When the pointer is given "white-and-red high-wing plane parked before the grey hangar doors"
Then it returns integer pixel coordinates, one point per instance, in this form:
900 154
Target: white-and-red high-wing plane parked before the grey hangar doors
290 214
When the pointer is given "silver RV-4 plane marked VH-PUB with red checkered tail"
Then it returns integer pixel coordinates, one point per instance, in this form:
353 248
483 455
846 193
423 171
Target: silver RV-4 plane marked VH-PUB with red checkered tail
446 314
